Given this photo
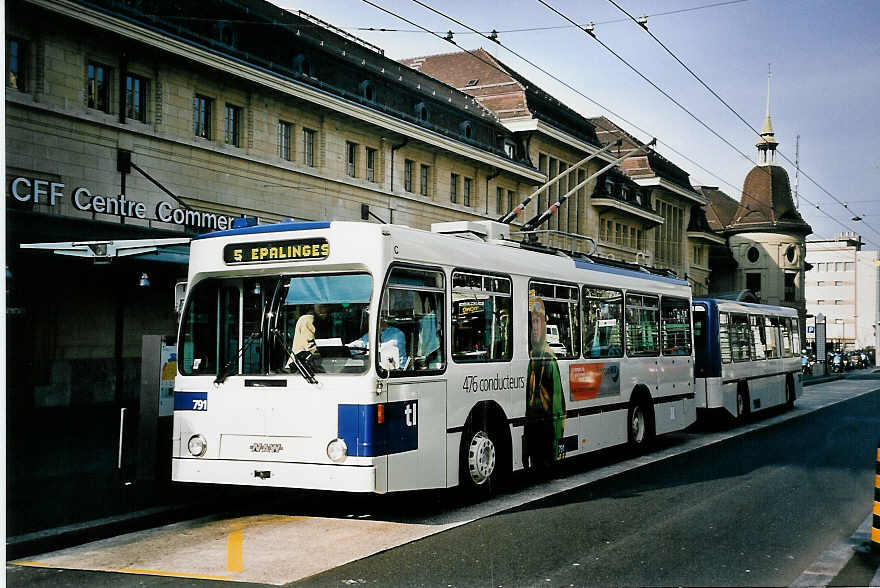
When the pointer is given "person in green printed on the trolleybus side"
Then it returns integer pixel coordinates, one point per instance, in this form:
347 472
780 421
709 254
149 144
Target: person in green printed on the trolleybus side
545 400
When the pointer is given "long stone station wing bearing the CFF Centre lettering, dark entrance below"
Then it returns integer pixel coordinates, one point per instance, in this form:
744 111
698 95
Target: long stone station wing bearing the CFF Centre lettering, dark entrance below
145 120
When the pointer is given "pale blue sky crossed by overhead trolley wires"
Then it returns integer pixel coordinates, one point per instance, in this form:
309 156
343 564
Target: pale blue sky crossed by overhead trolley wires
824 57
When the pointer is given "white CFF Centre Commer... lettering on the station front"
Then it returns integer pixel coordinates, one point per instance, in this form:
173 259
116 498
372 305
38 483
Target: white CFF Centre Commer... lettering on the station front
39 191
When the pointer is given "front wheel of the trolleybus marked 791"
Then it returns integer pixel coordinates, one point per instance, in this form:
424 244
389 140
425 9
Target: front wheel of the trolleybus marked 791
483 460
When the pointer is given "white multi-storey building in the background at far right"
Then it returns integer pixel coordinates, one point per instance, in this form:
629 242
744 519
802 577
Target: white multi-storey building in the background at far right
844 285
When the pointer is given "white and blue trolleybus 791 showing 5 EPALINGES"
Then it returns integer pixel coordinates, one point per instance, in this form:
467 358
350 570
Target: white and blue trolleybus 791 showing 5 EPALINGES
375 358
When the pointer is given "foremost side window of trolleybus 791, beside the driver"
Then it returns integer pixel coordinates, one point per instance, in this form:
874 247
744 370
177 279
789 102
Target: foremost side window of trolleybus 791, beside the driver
410 331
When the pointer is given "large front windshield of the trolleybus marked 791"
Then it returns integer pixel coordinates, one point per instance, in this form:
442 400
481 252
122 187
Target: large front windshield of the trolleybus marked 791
254 325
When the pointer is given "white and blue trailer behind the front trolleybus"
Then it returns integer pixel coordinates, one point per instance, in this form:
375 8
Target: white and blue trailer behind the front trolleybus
747 356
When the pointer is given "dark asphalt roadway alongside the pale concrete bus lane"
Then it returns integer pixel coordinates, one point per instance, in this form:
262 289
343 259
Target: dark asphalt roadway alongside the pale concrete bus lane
754 509
